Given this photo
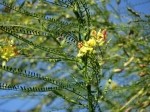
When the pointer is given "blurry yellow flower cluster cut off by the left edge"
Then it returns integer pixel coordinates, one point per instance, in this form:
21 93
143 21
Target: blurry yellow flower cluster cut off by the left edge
8 52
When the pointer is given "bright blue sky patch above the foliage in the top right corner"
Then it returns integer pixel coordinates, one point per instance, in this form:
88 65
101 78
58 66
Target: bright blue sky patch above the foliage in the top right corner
140 6
